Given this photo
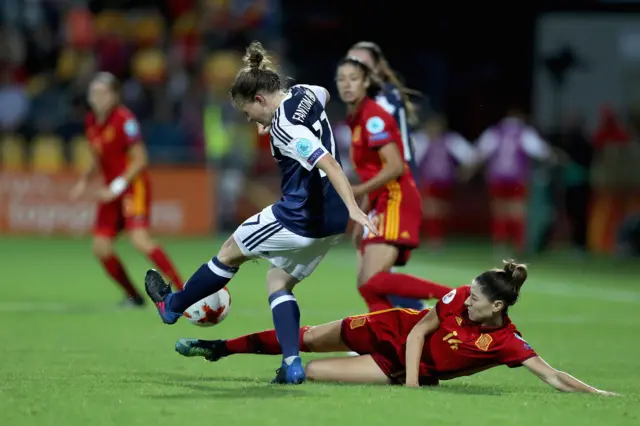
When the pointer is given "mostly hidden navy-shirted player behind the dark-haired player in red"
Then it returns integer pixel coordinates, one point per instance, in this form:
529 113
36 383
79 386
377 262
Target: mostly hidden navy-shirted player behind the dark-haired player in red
393 97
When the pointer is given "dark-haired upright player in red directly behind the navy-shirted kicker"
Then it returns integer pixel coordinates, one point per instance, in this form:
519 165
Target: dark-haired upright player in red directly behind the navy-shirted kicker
390 193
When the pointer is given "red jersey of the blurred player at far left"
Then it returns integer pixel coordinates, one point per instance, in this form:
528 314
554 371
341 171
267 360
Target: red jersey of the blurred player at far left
111 140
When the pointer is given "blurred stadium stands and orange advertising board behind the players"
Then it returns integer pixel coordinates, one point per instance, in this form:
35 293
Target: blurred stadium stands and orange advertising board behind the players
576 74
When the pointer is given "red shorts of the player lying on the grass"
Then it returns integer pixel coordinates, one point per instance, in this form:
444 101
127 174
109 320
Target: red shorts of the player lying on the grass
382 335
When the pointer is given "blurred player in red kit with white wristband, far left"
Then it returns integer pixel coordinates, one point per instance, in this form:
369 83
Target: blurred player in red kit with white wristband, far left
125 200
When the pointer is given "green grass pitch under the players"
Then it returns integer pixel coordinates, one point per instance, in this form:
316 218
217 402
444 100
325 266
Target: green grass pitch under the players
70 358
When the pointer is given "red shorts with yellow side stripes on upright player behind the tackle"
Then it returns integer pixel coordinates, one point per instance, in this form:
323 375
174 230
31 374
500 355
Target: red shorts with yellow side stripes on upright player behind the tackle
399 216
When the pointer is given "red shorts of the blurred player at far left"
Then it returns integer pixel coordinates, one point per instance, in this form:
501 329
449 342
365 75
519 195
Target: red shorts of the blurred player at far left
131 211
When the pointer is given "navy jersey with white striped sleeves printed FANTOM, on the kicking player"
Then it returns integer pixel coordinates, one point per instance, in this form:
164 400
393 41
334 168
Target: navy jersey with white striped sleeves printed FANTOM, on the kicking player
300 136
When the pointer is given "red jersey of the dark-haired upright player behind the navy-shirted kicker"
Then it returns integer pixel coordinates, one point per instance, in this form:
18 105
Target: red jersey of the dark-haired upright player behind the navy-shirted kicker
371 128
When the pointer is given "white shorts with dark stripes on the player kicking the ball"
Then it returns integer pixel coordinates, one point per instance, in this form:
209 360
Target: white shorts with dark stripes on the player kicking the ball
262 235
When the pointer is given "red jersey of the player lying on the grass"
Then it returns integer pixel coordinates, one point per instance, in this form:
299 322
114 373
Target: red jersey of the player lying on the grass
460 347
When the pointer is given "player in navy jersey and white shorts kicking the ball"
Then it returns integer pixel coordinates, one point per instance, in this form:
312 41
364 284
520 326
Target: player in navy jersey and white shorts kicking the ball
296 232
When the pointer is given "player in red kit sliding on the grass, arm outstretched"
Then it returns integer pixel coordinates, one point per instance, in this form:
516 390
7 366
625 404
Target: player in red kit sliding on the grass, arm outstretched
467 332
